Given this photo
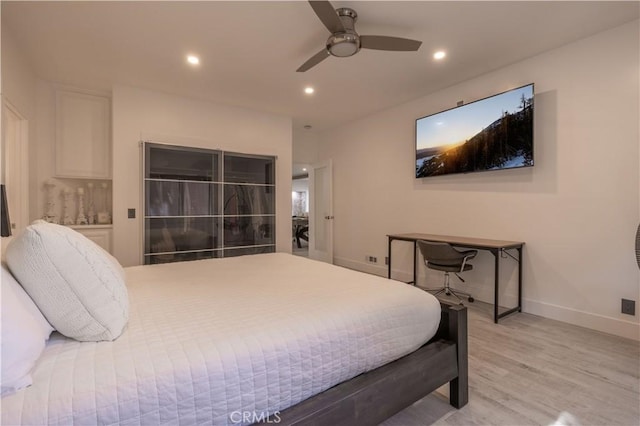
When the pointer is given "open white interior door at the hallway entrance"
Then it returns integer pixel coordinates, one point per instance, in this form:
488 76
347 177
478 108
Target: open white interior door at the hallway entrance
321 212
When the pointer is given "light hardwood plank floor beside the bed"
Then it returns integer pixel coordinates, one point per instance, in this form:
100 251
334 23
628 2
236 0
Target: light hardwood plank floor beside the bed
529 370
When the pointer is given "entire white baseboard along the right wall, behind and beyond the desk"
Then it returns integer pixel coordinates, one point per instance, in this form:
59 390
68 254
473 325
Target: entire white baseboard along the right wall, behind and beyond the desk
615 326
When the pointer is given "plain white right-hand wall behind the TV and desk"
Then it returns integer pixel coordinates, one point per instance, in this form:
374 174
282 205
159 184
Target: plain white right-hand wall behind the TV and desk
577 209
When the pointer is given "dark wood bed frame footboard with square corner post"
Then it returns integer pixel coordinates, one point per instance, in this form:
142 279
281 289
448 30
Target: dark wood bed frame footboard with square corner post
372 397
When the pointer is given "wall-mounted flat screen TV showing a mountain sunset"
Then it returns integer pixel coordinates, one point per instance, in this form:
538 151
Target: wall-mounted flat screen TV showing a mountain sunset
493 133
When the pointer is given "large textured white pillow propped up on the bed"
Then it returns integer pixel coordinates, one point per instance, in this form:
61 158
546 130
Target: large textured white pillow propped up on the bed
78 286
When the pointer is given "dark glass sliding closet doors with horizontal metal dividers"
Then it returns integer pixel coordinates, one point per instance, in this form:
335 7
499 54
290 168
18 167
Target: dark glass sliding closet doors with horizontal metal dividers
203 204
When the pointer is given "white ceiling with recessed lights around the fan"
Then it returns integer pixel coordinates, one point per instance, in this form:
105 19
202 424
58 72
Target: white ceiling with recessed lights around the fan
249 50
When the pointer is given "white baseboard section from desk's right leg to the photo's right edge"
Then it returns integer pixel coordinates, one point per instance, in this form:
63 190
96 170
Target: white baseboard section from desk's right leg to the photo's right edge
615 326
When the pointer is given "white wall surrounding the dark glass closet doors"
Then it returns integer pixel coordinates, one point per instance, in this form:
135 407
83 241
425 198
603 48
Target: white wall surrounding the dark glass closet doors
139 114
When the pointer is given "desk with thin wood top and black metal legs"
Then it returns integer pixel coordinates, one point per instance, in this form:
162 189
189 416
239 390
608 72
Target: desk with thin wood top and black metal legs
496 247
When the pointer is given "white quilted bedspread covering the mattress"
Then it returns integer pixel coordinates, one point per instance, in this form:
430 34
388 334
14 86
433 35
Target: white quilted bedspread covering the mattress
211 339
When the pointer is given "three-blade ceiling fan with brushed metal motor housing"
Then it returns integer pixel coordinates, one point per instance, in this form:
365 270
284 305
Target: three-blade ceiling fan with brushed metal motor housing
345 41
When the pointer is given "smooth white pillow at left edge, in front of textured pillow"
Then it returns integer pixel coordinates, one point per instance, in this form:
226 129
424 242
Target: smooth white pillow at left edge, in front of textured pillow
24 333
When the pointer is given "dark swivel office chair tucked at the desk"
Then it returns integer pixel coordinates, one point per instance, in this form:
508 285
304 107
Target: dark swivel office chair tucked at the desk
444 257
